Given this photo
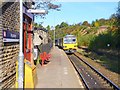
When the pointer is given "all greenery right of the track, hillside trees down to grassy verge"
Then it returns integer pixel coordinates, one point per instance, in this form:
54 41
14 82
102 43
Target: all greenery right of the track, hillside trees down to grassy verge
101 36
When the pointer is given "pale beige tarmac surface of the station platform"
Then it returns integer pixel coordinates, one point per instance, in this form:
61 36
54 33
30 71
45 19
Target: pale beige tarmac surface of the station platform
58 73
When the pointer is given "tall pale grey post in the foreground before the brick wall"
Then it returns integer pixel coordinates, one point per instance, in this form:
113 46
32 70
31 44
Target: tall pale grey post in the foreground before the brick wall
21 56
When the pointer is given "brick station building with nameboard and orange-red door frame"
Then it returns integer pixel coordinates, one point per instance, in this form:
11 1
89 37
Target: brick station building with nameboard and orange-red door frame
9 39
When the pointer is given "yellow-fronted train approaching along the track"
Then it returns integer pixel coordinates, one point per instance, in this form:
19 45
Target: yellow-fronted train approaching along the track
68 43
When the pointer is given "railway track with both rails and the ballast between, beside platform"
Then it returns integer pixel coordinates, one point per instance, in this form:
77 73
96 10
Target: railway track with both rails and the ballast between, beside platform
91 77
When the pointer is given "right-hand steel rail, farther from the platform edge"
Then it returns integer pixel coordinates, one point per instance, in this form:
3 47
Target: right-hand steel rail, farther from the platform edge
100 74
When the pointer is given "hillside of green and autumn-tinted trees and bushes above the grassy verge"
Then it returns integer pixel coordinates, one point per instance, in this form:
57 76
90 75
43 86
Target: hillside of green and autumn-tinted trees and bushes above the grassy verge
100 34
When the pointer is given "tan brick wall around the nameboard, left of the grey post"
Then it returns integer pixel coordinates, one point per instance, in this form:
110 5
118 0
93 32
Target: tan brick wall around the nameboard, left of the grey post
8 51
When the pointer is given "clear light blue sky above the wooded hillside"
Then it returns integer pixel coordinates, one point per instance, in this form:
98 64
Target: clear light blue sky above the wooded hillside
76 12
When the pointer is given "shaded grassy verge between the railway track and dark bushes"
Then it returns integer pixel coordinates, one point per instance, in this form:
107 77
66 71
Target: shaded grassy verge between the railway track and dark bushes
108 61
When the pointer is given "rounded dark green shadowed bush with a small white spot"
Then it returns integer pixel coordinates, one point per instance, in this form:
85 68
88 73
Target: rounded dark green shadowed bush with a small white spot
104 40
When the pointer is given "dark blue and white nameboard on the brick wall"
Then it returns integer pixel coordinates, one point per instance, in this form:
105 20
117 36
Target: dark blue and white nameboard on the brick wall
10 36
